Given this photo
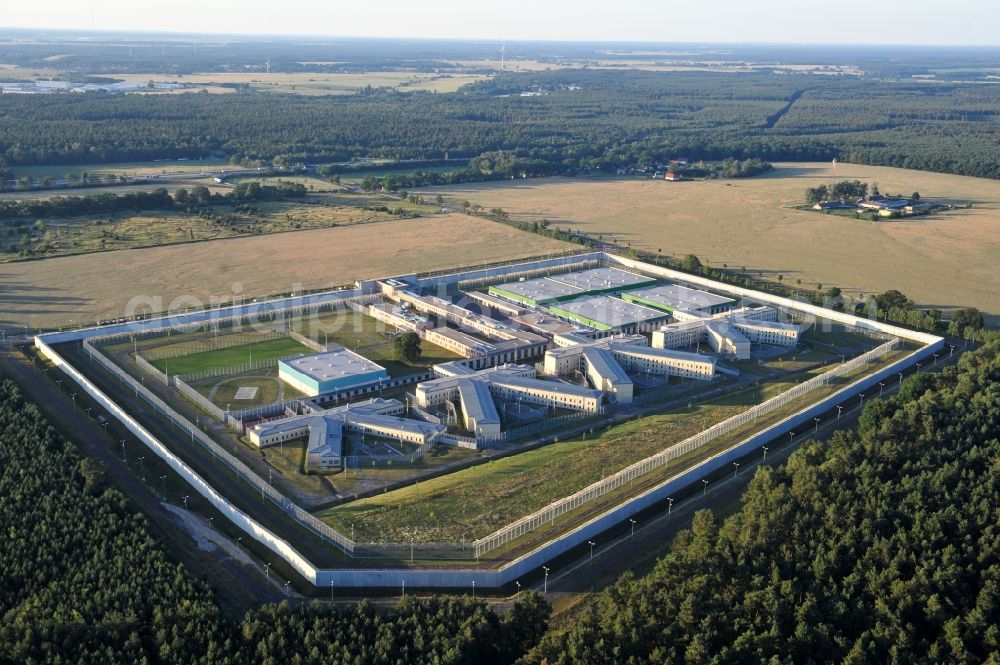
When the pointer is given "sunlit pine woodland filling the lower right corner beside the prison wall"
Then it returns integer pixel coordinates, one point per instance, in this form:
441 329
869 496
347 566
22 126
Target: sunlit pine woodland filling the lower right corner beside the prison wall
881 546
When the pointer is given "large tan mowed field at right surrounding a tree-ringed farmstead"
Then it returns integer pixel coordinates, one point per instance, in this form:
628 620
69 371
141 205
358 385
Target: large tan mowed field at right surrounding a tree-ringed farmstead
941 260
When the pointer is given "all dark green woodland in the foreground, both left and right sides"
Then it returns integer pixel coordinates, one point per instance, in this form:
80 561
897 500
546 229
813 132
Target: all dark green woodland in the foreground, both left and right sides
882 545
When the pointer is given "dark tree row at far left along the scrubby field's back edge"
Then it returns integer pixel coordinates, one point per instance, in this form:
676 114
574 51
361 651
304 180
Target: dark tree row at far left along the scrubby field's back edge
158 199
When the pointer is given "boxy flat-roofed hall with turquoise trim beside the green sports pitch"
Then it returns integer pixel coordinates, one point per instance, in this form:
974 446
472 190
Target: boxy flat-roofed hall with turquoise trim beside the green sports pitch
335 369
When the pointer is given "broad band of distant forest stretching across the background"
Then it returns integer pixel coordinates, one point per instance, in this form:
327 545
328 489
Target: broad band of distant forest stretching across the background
578 119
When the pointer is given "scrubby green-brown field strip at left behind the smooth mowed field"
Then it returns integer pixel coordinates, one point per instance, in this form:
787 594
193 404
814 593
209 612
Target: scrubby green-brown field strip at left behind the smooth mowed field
97 233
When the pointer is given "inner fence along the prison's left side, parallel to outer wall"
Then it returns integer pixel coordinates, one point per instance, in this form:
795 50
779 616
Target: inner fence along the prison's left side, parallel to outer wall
239 468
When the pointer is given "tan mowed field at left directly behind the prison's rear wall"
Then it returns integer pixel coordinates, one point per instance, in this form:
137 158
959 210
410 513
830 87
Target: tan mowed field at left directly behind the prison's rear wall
71 290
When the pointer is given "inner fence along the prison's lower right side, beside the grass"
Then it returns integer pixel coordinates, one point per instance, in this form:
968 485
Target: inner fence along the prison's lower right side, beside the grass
626 475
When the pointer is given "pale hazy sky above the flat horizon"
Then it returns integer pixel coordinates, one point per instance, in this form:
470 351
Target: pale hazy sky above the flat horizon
938 22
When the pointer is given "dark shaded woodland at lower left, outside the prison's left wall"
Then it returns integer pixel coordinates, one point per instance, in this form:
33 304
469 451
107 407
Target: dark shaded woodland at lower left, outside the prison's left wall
82 581
